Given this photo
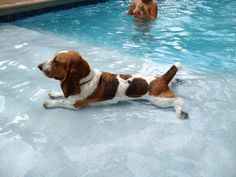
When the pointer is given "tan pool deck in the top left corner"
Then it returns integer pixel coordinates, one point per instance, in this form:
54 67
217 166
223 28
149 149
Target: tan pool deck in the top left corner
8 7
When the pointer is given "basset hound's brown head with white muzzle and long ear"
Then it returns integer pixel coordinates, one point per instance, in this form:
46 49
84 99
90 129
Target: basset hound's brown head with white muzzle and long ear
68 67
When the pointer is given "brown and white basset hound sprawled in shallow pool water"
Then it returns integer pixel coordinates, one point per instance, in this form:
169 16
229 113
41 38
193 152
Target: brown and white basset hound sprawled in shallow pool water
81 85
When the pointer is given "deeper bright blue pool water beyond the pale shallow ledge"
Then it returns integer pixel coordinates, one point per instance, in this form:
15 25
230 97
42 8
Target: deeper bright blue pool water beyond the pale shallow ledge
200 34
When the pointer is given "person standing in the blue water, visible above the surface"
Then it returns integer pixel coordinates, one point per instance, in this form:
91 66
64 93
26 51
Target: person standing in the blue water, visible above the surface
147 9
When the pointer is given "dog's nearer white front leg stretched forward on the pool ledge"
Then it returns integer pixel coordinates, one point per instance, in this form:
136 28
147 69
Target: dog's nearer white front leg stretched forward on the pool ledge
60 103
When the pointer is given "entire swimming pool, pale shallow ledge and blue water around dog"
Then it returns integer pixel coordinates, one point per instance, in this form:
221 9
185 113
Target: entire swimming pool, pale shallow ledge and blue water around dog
130 138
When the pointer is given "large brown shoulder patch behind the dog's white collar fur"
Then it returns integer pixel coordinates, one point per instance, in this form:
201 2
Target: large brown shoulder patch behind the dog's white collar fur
105 90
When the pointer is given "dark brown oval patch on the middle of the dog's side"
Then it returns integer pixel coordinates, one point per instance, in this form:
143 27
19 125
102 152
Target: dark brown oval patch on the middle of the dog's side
137 88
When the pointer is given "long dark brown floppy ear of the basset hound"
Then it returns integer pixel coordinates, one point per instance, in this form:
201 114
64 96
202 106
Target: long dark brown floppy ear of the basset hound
77 68
